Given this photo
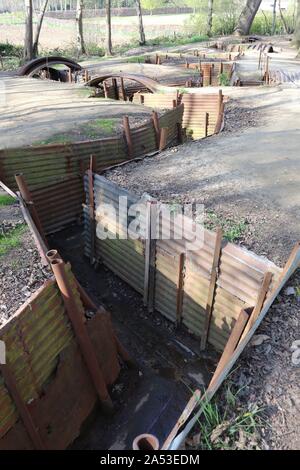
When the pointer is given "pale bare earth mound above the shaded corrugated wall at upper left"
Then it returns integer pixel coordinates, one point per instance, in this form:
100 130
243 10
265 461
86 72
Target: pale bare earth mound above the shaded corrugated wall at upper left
33 110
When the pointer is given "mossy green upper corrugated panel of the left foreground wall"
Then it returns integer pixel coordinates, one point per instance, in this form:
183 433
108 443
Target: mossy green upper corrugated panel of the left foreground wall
34 338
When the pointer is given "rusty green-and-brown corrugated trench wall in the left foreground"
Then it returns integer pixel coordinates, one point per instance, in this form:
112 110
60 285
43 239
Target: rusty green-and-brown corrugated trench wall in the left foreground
44 358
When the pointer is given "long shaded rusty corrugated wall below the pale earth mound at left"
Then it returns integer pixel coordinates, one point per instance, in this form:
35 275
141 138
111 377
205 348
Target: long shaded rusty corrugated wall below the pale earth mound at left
54 173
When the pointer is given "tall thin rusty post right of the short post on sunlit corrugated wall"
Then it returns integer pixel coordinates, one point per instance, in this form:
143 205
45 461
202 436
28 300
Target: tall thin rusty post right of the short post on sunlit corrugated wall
212 286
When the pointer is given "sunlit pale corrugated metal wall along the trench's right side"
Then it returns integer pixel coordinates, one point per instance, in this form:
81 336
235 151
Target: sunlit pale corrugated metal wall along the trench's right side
240 271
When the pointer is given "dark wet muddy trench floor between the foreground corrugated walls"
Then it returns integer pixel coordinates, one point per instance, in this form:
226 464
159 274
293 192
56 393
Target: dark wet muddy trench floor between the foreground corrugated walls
151 397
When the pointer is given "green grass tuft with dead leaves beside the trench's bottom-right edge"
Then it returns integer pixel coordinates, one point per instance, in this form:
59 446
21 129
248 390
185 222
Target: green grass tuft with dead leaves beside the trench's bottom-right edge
230 427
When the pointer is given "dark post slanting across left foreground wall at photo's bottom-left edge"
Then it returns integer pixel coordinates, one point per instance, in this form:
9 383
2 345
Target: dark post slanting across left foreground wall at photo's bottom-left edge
22 408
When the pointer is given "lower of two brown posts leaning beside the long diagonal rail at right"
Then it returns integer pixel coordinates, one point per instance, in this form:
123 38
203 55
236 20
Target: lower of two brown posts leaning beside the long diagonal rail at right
231 344
